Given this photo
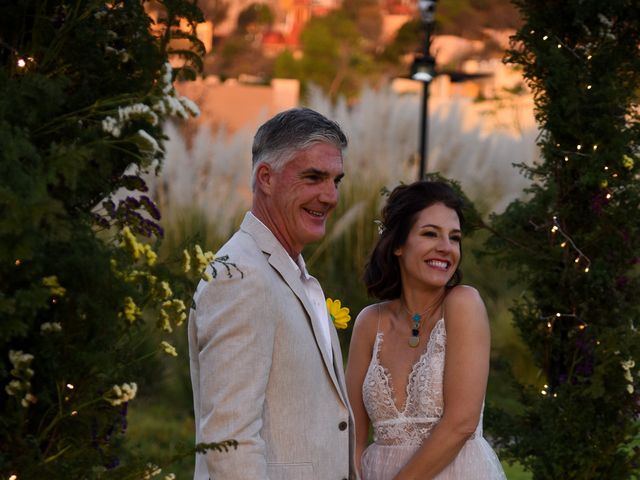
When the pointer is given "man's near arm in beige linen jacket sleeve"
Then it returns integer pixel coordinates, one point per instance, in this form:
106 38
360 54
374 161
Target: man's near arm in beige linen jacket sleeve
234 334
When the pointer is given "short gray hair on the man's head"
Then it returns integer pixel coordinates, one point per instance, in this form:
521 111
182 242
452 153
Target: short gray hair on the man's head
279 139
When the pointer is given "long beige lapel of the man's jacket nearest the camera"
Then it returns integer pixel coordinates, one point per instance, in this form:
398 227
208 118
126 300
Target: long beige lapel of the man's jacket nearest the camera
280 260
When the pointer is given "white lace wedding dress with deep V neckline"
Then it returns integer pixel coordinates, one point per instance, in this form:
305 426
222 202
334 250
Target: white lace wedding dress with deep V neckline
398 434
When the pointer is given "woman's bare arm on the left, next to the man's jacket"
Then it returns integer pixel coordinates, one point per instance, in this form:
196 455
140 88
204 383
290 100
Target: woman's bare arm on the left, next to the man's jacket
360 350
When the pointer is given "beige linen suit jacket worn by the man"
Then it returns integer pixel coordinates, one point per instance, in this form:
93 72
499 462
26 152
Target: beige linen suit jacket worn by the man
260 373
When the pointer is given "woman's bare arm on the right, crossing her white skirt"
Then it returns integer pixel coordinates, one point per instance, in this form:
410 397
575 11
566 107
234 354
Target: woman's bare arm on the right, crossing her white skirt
465 382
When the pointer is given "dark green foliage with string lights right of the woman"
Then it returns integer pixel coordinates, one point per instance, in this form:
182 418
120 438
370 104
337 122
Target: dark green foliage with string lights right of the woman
575 243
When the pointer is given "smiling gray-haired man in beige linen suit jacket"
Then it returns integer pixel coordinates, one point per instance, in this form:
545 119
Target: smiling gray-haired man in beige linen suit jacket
266 366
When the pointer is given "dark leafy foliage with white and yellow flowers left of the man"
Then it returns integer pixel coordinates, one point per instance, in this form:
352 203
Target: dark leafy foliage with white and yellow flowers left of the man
85 88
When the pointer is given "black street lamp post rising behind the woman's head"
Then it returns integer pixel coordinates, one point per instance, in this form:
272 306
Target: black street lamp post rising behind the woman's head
423 69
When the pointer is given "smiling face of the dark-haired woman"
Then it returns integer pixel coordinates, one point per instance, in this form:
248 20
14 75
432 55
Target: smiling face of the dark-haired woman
431 253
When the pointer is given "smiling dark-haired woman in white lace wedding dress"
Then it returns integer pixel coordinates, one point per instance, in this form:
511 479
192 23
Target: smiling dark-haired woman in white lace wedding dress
419 360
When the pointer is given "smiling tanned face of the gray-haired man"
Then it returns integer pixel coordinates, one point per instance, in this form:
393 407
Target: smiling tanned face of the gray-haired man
303 193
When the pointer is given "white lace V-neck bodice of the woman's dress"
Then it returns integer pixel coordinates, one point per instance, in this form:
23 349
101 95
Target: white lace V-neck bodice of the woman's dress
424 402
